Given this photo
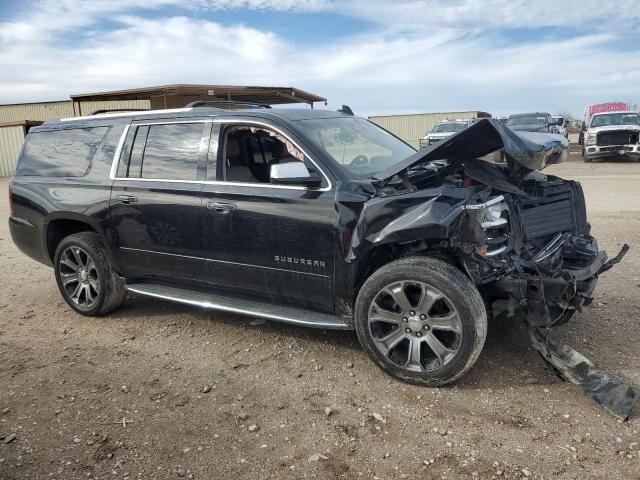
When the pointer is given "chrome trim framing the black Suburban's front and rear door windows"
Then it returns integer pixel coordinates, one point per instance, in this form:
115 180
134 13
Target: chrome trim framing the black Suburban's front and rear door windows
118 153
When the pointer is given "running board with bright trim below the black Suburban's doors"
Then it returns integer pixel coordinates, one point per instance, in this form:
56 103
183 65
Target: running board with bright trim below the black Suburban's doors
226 303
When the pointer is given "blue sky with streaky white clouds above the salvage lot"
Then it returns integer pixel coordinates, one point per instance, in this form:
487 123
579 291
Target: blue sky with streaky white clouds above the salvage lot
404 56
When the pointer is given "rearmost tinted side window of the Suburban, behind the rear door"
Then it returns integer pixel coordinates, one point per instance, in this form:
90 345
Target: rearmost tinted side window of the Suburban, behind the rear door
60 153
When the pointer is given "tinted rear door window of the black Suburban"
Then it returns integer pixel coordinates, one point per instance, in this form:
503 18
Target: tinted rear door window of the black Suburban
171 151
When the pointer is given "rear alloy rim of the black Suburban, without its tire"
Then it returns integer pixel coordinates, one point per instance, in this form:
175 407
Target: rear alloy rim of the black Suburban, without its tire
79 277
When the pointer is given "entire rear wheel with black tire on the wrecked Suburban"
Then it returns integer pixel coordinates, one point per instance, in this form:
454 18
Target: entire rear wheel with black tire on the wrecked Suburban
111 290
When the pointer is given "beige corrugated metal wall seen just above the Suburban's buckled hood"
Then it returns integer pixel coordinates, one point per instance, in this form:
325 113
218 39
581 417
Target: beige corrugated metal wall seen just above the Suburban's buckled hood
411 128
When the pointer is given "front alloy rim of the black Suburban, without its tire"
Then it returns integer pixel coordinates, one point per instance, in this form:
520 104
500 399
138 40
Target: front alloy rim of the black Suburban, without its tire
415 326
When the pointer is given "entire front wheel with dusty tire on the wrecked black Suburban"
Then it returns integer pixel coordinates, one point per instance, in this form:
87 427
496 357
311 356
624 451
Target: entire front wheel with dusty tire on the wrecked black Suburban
421 320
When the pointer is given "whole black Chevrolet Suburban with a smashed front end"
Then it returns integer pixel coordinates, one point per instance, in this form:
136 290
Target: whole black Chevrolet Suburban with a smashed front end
320 219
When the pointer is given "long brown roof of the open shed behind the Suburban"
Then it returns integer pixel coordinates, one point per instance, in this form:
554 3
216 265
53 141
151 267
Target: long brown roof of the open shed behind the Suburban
255 94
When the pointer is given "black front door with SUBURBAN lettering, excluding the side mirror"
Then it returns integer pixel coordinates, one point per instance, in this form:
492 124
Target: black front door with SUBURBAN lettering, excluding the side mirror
270 241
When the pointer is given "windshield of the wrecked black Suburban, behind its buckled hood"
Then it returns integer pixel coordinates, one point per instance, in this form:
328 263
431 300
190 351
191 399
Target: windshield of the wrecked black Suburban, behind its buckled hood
357 145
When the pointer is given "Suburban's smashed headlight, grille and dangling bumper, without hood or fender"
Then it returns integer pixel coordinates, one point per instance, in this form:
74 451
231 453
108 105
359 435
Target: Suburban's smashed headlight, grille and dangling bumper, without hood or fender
539 262
